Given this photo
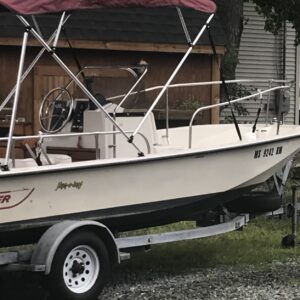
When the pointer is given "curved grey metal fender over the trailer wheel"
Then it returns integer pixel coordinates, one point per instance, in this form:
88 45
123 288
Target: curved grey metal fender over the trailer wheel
52 238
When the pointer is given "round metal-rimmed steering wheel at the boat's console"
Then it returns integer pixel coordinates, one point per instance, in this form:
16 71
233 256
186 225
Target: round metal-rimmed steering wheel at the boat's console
56 110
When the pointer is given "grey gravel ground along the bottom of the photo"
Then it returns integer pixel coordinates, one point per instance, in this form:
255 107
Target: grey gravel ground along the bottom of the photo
272 281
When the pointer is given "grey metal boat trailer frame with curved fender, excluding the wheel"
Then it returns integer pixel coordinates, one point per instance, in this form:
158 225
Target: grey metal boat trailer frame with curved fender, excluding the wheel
39 258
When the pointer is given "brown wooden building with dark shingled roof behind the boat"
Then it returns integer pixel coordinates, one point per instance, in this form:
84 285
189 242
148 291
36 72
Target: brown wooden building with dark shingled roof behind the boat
112 37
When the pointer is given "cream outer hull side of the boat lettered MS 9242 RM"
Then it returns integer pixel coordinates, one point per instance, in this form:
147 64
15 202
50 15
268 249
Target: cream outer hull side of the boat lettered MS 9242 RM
126 188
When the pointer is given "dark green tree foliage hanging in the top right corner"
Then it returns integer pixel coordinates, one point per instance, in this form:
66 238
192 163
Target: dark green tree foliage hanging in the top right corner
277 12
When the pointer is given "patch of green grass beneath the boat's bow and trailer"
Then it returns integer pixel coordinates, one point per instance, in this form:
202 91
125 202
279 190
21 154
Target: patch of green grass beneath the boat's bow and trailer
257 244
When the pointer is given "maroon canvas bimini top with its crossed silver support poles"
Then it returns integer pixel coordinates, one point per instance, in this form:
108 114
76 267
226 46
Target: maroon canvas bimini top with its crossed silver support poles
42 6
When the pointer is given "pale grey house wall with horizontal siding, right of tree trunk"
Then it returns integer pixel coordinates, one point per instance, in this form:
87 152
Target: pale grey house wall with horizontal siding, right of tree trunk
265 56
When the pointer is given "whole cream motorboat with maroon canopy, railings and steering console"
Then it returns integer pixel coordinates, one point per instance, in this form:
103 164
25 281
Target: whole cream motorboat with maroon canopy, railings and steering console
141 176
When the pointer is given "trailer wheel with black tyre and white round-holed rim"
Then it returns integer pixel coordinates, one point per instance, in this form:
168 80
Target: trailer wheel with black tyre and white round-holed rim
80 267
